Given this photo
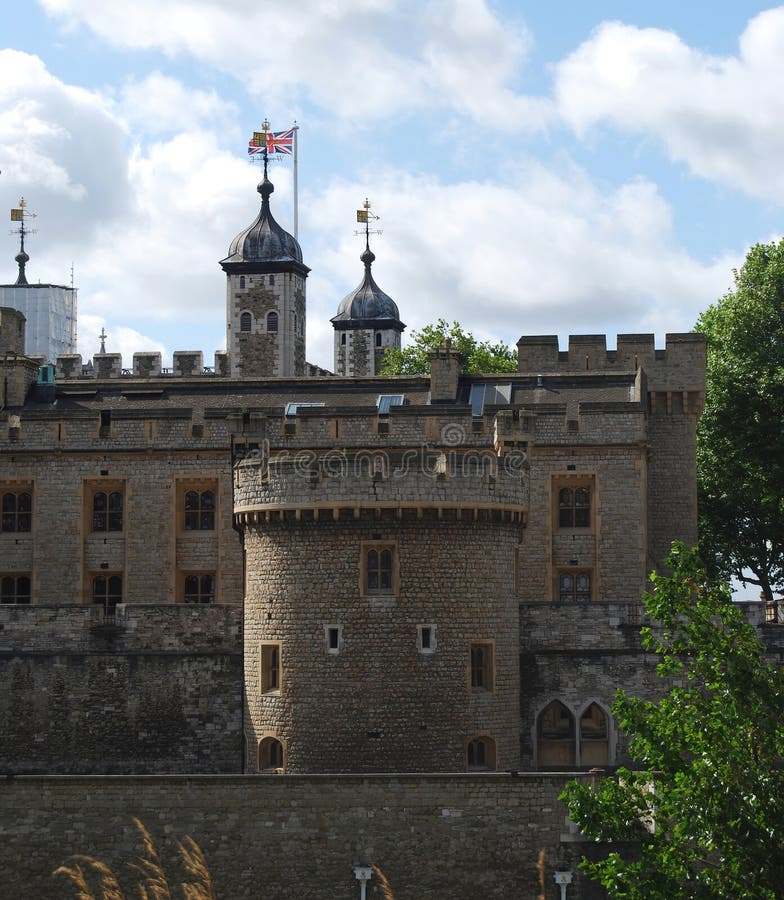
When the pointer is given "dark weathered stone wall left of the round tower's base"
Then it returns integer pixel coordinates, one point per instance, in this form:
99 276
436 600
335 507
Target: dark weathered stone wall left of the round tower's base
157 691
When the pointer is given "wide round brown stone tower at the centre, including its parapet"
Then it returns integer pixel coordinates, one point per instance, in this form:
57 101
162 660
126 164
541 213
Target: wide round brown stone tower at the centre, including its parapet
380 614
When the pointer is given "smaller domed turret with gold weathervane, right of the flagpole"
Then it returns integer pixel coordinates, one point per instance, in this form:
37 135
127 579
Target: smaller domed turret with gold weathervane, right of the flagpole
367 324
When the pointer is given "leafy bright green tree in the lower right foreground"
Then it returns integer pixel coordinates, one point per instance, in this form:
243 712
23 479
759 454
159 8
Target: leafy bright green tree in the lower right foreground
705 810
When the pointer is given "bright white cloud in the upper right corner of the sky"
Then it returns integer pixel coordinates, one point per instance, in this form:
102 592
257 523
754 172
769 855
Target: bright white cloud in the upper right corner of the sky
721 116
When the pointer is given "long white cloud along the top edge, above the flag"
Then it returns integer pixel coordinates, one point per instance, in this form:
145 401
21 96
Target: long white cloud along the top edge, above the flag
357 59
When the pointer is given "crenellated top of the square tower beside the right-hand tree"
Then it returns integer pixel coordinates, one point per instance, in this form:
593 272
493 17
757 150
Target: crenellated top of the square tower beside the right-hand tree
681 364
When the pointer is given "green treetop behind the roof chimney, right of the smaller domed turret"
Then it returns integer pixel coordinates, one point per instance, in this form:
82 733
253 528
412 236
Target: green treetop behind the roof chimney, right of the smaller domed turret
479 357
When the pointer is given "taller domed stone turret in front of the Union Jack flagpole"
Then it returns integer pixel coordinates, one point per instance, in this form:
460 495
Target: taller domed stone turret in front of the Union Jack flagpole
265 298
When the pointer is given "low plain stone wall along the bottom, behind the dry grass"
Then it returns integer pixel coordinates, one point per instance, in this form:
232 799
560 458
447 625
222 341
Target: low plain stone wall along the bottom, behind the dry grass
300 836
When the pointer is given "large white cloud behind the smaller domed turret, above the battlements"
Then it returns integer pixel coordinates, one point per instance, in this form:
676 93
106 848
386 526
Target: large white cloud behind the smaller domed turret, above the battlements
522 258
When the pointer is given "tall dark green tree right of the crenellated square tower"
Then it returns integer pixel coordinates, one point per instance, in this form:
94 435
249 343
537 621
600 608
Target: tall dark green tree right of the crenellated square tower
740 446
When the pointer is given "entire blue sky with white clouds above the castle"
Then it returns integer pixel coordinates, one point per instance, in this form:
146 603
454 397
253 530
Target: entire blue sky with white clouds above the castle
554 168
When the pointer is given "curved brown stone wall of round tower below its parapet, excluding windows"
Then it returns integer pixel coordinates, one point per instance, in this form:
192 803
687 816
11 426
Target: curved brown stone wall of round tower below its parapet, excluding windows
379 704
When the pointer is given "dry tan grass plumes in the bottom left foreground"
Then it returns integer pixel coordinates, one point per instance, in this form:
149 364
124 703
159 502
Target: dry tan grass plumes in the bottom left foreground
94 880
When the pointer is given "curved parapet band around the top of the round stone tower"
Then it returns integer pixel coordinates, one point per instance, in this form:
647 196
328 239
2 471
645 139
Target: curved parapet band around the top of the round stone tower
473 484
